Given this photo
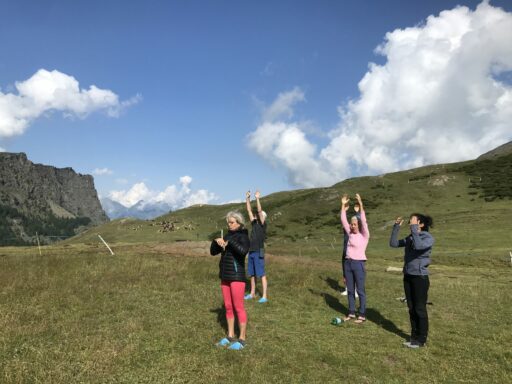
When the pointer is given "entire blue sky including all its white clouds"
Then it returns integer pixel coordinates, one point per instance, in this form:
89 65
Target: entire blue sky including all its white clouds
189 102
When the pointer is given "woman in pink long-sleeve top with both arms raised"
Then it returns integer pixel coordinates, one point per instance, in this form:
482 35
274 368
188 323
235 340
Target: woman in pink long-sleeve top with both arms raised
355 269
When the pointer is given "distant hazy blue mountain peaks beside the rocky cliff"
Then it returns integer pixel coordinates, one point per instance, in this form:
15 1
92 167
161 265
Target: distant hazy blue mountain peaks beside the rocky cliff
140 210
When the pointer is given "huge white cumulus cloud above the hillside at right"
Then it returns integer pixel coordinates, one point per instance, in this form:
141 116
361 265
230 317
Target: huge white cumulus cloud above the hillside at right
440 96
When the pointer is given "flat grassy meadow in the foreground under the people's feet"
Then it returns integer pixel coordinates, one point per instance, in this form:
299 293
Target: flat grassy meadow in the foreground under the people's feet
77 314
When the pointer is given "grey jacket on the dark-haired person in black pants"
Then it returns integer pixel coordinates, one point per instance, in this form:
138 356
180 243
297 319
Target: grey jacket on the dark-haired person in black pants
418 248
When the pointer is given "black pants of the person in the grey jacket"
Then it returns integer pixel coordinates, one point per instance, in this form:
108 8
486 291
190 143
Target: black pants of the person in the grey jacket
416 292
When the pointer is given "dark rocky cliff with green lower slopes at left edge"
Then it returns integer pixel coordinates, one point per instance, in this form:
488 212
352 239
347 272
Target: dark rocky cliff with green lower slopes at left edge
44 199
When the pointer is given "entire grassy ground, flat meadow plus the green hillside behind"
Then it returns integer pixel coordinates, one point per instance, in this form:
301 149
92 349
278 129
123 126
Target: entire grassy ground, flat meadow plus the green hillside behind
153 312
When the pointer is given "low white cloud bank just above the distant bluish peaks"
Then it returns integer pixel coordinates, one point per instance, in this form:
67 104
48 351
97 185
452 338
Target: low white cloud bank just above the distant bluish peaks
175 196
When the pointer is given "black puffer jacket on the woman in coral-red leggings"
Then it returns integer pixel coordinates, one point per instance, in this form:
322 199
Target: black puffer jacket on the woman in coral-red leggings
232 259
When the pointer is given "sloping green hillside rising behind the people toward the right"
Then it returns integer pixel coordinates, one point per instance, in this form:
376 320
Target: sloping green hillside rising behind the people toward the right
470 203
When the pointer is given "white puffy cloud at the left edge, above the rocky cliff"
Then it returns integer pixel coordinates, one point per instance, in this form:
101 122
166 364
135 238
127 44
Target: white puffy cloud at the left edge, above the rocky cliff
48 91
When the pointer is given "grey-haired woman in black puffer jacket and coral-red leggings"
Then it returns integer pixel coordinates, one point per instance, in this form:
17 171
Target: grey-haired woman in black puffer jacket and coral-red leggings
233 248
